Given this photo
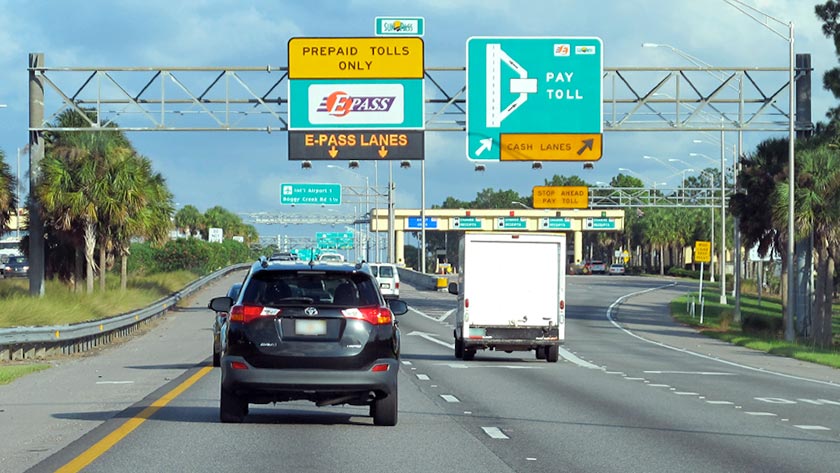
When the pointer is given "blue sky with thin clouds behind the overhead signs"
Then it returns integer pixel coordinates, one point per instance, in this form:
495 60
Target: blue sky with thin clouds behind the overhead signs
242 171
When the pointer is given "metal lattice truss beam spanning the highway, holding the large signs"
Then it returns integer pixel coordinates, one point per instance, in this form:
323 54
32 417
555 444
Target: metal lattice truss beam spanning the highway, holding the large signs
255 98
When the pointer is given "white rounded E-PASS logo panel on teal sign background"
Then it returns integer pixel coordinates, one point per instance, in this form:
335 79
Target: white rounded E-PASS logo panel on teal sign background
355 104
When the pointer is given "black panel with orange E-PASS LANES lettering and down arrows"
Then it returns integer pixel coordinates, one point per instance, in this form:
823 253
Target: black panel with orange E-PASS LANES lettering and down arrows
381 145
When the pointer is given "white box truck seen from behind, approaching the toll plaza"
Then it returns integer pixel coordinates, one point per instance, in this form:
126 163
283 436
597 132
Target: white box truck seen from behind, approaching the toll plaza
511 293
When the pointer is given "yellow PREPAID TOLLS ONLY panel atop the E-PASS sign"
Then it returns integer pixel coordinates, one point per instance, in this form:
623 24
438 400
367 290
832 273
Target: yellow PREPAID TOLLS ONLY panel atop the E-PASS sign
356 58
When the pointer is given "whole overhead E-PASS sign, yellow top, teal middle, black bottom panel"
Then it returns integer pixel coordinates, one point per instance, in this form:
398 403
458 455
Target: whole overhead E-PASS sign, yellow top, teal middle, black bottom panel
356 98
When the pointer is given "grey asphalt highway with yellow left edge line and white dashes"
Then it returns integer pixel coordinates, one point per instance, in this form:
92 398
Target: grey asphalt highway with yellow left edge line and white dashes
633 392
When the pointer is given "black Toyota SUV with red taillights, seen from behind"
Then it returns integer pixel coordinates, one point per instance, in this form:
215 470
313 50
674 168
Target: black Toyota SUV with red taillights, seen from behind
310 331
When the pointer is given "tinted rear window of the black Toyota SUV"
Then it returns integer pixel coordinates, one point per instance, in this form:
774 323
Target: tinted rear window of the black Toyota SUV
287 287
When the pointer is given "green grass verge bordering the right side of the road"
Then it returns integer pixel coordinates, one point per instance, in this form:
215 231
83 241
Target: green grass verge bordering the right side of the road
761 328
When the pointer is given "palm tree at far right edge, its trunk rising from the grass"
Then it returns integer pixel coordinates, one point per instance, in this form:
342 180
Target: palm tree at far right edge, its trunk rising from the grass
817 212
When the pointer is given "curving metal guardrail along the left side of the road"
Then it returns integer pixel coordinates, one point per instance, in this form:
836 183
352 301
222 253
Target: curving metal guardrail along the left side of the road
22 343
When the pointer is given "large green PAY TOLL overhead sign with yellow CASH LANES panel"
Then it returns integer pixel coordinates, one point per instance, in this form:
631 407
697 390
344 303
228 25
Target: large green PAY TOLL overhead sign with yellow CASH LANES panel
534 99
